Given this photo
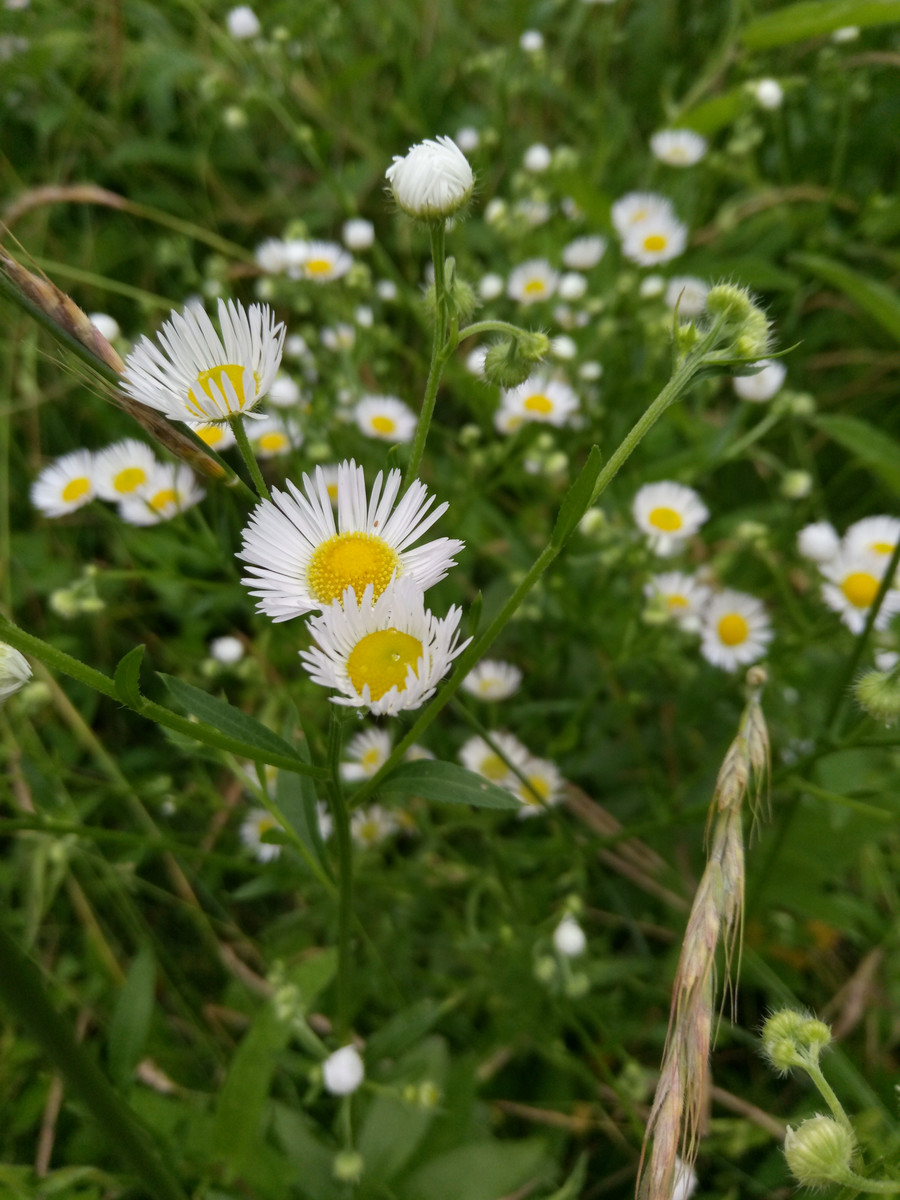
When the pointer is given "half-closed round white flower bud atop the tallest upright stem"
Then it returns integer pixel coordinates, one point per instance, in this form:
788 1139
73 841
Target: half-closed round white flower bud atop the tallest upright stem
433 181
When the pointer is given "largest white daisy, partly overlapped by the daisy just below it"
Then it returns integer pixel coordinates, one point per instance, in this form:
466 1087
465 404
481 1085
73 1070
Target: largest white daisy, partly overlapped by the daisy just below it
302 560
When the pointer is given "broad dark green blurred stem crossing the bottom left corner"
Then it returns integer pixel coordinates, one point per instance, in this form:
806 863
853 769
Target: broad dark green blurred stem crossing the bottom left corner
23 991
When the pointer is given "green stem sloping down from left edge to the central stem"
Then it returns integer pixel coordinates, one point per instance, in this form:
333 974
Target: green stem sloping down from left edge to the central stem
64 664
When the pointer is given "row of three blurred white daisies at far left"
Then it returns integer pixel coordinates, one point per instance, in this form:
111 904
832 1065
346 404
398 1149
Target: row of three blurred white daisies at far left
125 473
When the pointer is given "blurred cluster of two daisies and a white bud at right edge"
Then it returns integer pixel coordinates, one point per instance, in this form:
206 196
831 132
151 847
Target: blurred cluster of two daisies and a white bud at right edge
853 568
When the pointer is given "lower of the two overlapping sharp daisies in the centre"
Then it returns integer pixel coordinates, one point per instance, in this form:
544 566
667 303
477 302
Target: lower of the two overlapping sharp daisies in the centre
387 655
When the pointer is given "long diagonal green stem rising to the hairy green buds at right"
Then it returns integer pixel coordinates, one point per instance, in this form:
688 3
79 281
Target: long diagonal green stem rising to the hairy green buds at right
685 374
